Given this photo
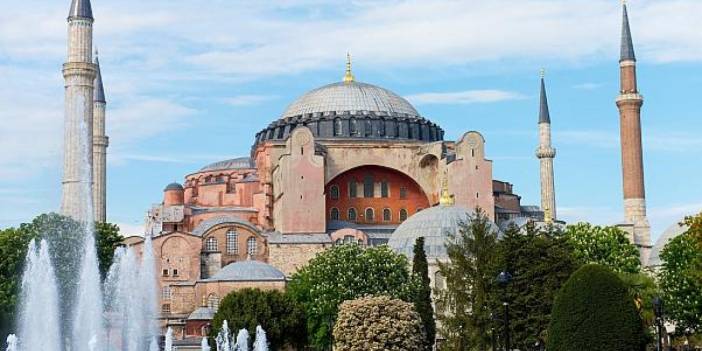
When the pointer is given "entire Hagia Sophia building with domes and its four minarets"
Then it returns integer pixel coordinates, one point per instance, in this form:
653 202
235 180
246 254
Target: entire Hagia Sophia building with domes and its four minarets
349 162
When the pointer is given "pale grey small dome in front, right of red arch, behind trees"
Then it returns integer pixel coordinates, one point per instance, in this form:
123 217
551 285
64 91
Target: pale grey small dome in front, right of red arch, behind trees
434 224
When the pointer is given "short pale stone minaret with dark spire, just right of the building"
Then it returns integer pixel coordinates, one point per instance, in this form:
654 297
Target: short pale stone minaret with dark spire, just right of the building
545 153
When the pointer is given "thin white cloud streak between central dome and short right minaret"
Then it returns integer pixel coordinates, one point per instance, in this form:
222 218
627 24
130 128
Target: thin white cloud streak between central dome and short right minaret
465 97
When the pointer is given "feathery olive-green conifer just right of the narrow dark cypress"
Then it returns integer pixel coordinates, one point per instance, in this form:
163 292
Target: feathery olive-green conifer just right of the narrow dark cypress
462 307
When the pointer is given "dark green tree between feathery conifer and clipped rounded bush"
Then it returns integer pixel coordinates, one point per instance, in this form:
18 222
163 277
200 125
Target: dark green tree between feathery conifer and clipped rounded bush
540 260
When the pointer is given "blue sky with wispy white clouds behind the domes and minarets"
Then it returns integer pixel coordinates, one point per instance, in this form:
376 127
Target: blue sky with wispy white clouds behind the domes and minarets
190 82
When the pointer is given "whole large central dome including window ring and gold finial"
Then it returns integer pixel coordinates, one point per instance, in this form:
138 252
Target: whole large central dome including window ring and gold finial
351 110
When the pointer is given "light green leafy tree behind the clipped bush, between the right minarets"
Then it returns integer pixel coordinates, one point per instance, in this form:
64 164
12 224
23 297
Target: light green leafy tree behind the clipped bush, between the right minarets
608 246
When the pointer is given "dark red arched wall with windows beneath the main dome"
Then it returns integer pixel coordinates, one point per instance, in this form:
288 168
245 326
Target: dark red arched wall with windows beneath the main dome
416 199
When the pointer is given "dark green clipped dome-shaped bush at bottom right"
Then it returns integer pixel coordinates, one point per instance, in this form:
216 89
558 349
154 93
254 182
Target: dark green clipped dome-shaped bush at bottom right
594 311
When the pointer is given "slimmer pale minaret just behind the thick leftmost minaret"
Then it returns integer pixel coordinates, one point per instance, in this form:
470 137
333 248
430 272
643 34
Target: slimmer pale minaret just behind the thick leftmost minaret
100 143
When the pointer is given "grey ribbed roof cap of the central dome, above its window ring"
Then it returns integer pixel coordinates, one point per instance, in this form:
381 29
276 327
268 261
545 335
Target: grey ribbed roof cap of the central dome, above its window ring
347 97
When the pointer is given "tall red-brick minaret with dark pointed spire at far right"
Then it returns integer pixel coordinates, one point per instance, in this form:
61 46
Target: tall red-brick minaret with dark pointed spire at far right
629 103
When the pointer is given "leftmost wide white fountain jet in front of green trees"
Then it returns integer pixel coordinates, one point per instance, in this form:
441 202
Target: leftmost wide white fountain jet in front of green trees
39 327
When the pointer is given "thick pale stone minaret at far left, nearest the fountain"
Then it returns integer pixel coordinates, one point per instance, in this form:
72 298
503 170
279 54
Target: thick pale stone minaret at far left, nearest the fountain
79 74
